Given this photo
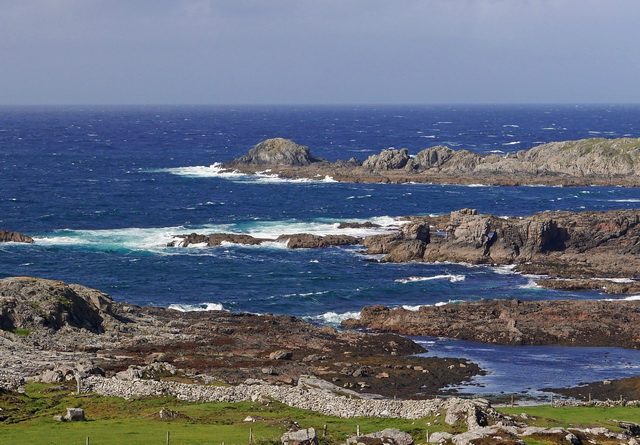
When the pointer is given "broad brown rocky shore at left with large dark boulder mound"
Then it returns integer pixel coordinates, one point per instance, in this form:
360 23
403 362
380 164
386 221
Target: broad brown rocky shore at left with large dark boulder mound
48 327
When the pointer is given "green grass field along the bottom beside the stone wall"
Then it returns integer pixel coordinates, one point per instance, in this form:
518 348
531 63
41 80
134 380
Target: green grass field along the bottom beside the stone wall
27 419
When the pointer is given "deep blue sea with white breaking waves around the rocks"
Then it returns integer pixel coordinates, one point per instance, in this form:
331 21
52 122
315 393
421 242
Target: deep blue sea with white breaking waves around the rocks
104 189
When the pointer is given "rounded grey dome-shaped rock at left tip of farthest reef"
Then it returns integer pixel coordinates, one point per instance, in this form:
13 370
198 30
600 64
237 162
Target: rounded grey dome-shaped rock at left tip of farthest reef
277 152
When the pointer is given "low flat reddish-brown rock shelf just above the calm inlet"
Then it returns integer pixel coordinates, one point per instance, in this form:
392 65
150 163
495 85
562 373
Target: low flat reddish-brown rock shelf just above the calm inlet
513 322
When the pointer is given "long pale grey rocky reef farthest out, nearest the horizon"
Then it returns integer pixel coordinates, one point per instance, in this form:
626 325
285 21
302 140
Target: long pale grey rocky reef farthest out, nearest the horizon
569 163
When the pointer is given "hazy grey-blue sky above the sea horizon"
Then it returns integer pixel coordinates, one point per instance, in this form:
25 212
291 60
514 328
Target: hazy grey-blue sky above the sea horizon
319 51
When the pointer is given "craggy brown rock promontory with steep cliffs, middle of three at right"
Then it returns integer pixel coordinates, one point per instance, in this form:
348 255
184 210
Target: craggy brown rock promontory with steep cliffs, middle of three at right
579 246
